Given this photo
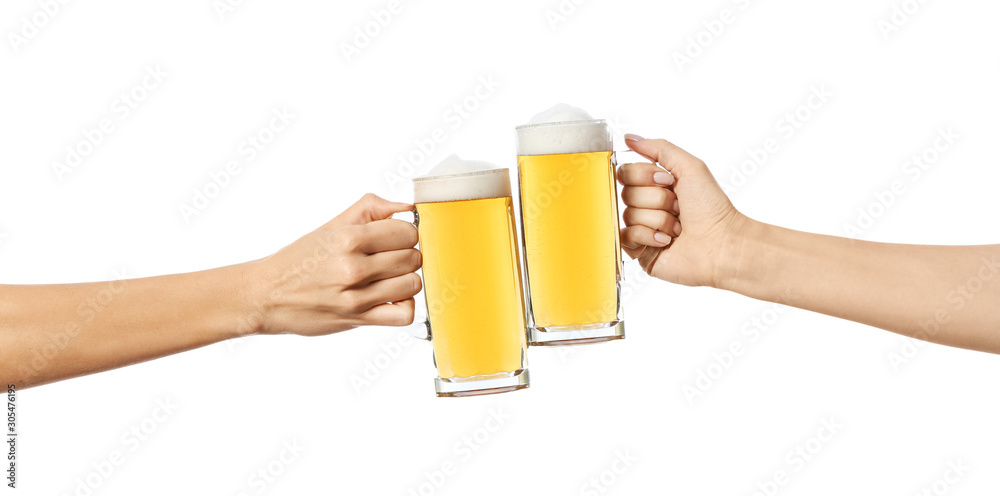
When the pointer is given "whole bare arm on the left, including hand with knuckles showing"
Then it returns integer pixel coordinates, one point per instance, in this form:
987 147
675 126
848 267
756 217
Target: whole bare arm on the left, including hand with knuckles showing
358 269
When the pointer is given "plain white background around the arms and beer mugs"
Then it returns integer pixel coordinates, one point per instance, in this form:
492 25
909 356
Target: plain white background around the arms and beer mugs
237 404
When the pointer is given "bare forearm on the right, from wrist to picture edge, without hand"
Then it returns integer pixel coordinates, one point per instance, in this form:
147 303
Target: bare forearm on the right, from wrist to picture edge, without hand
944 294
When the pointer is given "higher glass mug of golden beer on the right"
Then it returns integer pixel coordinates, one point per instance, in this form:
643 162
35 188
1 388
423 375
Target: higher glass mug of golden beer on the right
569 222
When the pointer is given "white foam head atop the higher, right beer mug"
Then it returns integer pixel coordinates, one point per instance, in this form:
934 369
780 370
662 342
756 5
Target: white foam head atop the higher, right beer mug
563 129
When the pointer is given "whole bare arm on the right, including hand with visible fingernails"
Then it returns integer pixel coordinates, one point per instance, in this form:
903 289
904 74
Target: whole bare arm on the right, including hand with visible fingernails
944 294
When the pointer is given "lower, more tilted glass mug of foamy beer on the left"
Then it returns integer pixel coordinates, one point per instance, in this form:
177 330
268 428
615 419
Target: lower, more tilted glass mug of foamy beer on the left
472 278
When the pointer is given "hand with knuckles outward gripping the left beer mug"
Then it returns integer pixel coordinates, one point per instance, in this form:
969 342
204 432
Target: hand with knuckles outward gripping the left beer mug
358 269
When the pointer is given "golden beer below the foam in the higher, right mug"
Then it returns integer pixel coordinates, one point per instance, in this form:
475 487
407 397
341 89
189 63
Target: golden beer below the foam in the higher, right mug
570 210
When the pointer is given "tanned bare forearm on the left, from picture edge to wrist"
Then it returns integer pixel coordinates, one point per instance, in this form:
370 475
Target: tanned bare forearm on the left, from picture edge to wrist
53 332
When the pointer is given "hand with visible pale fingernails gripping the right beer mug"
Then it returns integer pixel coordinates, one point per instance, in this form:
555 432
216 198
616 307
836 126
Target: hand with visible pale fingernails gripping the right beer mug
658 203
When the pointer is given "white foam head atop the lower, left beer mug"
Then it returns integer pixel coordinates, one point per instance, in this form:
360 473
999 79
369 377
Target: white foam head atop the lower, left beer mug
456 179
